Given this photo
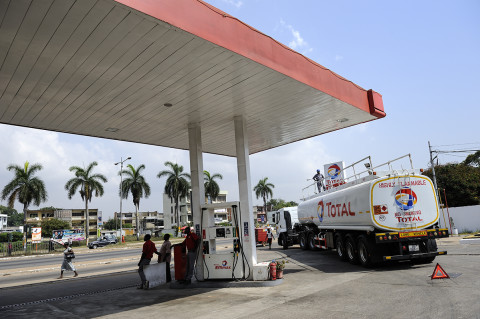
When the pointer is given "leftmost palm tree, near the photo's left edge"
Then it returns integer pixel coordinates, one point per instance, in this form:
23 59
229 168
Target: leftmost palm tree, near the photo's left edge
26 188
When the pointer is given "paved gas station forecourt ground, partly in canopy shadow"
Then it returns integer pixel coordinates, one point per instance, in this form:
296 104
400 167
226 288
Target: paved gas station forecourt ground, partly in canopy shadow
316 285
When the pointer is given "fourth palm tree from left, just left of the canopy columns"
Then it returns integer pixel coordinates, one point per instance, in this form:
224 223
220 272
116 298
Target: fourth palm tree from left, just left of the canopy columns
176 186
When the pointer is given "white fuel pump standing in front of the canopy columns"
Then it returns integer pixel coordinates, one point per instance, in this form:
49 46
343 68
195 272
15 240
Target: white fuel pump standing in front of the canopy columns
224 263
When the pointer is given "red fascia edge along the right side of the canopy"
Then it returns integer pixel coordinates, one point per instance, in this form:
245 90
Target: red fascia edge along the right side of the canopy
215 26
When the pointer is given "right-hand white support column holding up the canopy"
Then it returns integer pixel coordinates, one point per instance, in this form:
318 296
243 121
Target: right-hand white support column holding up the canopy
247 226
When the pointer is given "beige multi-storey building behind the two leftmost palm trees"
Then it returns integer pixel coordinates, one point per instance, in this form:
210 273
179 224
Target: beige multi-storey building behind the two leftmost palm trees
75 217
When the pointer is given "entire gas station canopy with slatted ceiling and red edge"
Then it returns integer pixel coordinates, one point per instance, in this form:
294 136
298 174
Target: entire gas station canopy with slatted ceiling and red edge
144 70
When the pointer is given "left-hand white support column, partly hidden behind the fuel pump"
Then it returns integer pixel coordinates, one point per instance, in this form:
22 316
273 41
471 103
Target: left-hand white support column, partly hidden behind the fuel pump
198 191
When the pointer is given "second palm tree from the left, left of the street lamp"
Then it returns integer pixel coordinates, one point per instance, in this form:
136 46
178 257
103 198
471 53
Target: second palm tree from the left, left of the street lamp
88 184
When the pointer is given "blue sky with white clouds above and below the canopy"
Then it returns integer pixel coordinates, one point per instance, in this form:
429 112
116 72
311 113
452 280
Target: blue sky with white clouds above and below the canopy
421 56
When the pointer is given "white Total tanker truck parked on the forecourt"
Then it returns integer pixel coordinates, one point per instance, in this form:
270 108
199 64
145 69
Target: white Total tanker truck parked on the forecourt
381 216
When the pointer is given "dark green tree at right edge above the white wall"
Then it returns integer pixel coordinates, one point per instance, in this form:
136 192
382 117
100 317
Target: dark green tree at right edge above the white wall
461 183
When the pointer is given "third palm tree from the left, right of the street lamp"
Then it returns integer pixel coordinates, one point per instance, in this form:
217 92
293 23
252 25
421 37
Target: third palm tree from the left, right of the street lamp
134 183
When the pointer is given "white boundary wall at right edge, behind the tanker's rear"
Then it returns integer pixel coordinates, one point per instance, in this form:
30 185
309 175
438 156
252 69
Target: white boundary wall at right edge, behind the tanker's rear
466 218
